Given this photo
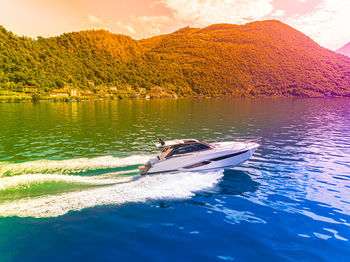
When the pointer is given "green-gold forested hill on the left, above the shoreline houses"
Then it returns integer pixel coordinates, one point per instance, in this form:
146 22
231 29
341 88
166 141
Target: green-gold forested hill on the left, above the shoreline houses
85 60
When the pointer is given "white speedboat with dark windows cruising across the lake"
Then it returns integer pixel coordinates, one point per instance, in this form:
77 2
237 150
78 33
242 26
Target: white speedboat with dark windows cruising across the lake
192 155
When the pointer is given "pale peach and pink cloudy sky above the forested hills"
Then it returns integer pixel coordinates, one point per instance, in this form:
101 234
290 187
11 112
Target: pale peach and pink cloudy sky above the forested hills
325 21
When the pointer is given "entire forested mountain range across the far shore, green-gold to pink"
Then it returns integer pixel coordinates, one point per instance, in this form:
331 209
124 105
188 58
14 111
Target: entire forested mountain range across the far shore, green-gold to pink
265 58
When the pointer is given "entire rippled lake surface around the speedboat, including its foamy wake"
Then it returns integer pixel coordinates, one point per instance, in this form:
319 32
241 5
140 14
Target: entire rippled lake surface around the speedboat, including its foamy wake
289 202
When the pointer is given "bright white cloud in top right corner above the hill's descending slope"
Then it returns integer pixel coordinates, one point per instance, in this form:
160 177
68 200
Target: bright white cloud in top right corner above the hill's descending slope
328 24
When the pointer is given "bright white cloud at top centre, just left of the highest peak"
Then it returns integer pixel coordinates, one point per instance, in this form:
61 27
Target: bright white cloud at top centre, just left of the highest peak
205 12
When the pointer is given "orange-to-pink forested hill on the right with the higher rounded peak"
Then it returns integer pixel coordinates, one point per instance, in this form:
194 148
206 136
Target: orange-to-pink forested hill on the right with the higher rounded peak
257 59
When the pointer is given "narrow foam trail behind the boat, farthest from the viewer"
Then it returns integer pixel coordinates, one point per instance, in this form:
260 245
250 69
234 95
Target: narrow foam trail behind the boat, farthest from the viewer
70 165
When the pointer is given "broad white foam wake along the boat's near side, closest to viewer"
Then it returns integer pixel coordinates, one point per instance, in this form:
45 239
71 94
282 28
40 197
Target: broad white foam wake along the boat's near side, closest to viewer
163 186
